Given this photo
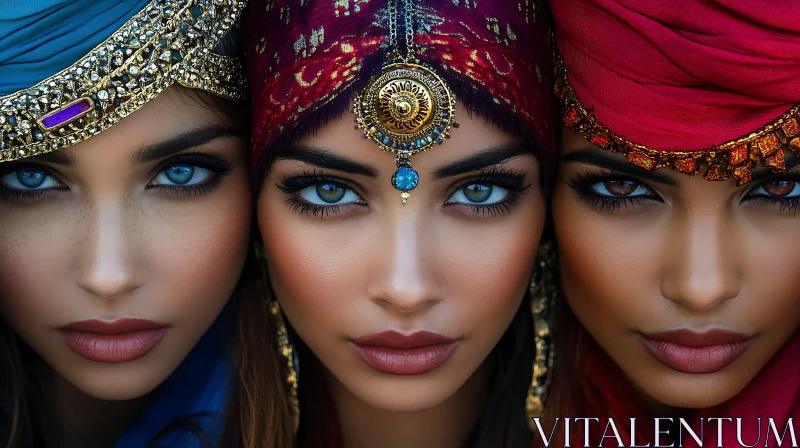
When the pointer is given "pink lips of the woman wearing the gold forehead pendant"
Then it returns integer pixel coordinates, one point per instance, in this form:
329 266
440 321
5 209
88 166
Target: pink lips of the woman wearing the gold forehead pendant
394 353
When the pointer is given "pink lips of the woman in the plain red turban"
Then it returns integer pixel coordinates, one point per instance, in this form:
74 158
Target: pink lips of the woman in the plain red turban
688 351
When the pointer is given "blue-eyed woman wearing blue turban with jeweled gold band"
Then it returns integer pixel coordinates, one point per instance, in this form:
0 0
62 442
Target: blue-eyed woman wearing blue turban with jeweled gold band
126 222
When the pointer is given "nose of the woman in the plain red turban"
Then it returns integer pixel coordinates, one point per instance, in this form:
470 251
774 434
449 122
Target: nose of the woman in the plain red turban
702 270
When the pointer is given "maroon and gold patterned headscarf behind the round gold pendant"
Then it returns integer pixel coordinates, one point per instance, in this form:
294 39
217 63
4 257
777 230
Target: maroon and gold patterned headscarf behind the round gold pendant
306 58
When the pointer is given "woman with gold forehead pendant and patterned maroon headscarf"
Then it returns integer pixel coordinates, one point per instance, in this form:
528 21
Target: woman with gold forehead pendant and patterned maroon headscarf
401 251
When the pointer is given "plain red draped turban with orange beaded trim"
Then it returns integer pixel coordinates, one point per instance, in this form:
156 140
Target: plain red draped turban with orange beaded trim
683 83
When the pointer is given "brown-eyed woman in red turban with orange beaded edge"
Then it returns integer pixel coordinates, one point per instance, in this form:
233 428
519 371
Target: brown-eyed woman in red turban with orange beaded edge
681 289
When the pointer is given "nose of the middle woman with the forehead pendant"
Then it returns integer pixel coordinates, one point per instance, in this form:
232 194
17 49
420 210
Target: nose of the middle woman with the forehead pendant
405 280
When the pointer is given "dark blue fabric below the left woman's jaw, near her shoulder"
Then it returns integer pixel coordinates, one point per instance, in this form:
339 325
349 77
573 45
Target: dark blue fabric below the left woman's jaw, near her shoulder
191 403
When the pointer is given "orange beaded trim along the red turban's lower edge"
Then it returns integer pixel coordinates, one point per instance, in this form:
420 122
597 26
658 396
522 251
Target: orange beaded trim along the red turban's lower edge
737 158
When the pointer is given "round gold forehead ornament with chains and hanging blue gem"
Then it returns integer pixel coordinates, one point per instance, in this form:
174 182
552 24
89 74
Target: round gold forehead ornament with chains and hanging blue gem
406 108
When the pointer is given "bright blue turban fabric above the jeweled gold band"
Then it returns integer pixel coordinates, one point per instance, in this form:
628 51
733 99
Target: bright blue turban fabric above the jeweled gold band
39 38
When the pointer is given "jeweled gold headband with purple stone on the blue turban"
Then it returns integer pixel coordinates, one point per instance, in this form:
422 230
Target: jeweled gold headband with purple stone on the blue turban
169 41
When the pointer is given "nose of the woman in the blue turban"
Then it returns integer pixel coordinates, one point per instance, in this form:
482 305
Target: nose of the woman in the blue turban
107 269
